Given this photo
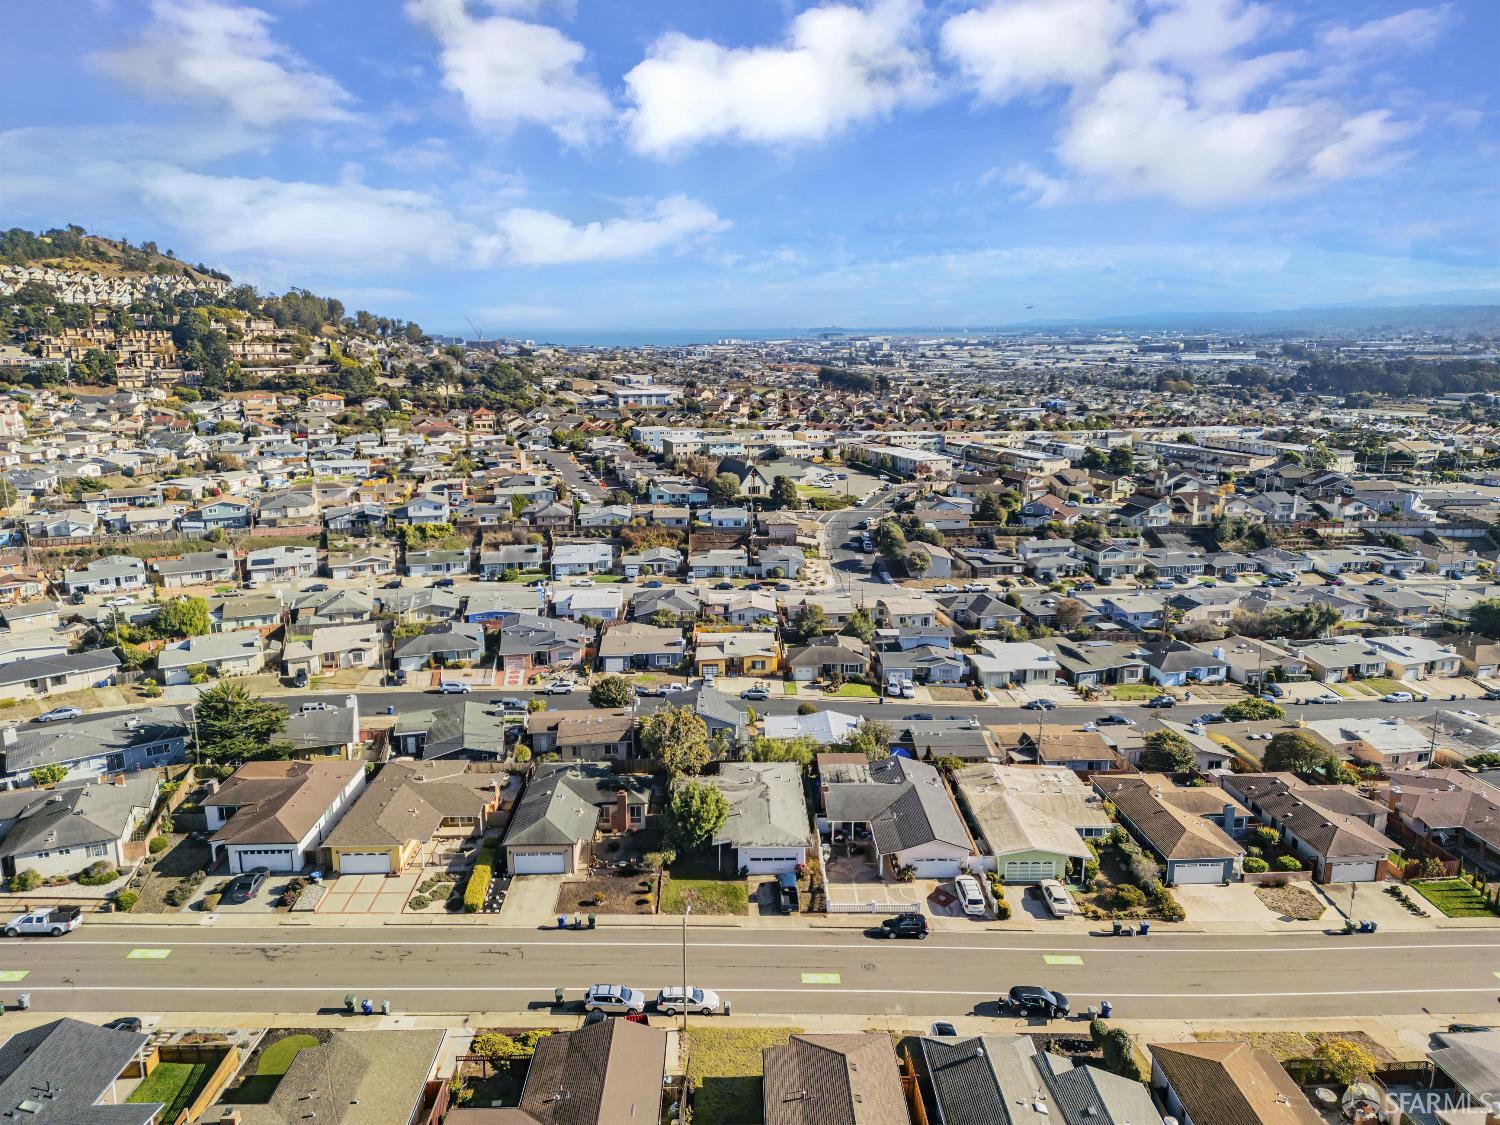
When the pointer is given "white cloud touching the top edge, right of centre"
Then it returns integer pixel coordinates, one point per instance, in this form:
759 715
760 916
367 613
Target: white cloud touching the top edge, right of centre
1015 47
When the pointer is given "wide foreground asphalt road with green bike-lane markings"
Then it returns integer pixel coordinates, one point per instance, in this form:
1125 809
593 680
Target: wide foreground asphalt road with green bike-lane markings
461 970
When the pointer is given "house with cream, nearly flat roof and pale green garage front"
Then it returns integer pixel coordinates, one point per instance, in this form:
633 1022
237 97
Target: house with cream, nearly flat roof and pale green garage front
1033 820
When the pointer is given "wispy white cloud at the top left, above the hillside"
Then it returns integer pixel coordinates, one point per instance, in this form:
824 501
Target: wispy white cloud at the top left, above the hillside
223 53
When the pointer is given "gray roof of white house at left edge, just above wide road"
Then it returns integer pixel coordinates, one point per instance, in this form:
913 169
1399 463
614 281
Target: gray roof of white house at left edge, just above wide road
73 815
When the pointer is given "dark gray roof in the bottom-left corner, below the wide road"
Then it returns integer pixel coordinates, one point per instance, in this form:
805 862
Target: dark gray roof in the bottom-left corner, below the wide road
76 1064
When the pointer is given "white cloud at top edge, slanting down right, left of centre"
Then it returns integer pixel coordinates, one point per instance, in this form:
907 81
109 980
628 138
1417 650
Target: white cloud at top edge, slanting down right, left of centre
509 71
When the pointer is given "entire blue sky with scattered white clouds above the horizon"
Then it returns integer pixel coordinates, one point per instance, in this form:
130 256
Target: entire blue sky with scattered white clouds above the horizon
548 167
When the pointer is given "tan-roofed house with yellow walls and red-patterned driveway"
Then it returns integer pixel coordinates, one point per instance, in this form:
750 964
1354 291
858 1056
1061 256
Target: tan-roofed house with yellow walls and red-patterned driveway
407 808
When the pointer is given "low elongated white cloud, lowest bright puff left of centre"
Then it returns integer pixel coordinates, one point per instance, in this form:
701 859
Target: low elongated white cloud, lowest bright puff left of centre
533 238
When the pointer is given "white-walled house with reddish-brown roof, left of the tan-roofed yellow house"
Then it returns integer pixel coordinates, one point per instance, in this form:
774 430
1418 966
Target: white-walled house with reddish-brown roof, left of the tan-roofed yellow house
277 815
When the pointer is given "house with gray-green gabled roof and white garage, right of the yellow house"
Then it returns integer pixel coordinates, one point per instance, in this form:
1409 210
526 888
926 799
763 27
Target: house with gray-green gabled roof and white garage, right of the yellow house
562 812
